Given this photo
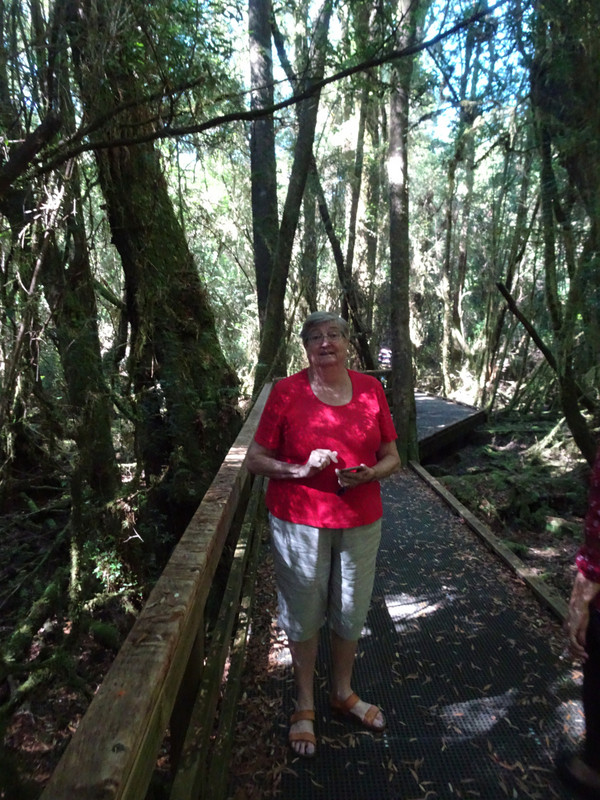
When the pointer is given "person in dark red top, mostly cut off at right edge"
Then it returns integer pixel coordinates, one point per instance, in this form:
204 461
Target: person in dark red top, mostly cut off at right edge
582 771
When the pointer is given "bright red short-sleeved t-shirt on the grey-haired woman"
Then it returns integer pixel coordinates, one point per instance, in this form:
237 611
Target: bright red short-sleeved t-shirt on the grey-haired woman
295 422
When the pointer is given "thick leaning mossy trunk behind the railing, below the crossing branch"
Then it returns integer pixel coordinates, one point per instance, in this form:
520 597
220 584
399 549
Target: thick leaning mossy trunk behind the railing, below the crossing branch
185 390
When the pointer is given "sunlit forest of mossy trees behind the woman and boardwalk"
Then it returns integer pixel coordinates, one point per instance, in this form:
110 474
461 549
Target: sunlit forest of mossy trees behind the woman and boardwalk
182 182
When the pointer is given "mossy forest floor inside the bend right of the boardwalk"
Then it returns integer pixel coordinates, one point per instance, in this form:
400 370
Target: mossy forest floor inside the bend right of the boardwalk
525 478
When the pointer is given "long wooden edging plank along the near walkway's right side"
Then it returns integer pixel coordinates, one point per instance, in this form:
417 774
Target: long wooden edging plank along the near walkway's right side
546 594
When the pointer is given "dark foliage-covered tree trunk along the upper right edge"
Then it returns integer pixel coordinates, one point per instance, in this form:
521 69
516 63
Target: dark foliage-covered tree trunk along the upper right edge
565 98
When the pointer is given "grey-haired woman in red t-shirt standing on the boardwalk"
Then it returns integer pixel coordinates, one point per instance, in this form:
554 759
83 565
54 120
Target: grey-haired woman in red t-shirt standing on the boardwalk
325 440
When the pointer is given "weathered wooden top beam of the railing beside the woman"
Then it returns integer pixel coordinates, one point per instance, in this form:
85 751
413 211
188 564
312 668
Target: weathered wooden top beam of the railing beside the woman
114 749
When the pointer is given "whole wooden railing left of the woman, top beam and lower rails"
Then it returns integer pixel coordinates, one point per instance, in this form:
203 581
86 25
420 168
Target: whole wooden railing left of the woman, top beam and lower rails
168 674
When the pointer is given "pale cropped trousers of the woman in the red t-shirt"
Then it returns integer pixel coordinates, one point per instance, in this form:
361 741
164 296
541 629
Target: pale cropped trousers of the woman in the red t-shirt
323 574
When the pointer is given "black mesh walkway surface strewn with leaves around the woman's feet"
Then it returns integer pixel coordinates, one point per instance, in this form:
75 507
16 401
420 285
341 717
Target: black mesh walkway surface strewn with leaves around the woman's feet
465 664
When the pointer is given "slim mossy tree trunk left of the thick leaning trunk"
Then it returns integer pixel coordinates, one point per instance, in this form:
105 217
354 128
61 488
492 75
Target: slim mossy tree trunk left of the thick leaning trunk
95 479
